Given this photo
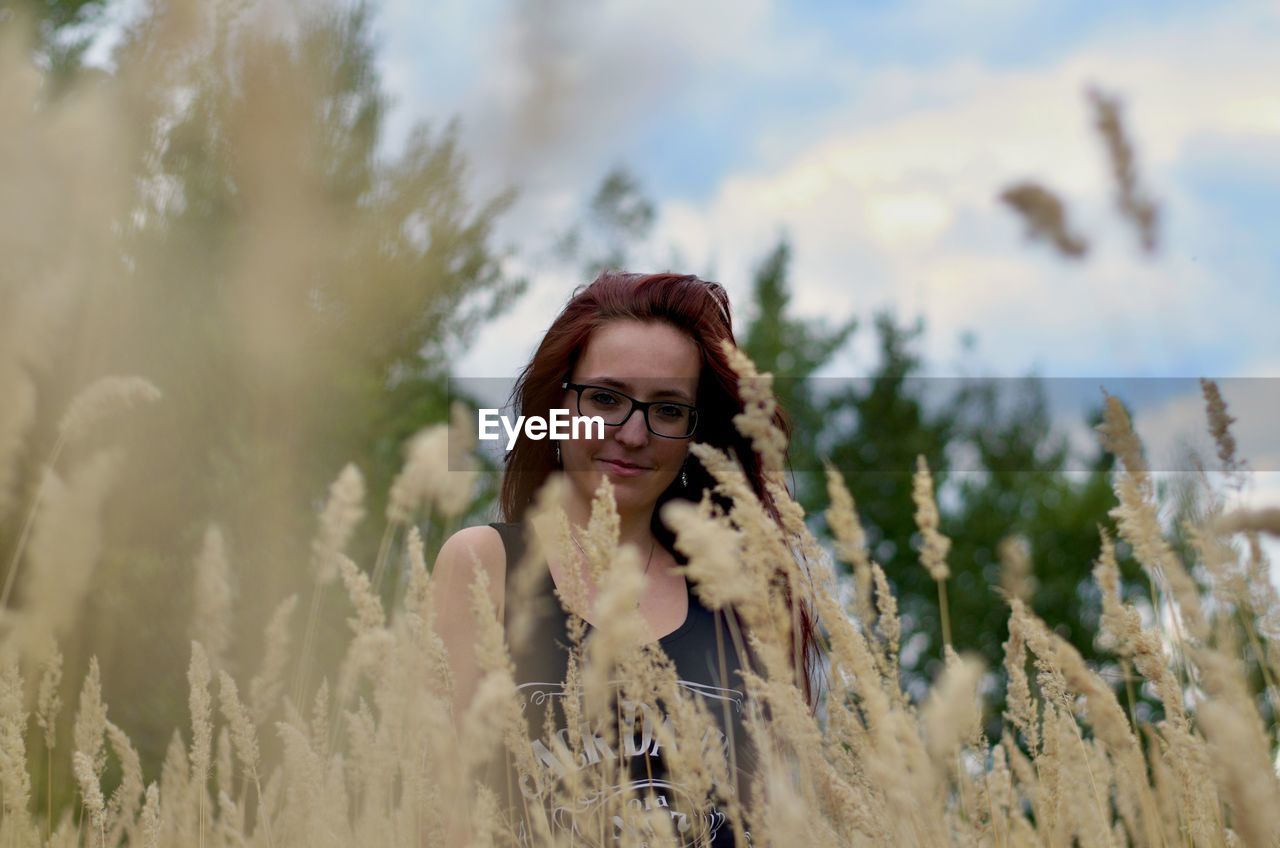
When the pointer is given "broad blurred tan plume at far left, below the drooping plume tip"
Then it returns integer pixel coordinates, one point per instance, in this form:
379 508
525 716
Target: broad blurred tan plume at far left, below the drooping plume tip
66 542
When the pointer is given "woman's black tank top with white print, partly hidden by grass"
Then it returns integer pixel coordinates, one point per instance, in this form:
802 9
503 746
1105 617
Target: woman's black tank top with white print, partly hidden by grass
542 664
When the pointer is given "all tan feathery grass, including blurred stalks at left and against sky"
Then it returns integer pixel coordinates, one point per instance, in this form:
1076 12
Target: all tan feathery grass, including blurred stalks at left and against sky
319 727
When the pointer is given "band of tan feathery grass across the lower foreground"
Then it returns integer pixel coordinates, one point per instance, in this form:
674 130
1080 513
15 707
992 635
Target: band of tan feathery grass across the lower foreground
378 759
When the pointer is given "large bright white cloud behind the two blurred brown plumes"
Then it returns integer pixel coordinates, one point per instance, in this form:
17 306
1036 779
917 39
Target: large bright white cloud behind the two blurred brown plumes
900 208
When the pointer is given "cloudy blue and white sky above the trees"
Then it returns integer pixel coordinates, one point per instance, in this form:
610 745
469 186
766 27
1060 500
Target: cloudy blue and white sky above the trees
876 138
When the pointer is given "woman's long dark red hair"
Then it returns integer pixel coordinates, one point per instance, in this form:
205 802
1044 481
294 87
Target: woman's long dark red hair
702 311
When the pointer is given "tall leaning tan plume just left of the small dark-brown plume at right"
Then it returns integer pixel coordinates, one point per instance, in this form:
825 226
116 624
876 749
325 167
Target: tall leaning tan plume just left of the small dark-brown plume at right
1137 516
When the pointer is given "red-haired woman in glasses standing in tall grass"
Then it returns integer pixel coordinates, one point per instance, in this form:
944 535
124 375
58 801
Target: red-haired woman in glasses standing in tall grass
643 353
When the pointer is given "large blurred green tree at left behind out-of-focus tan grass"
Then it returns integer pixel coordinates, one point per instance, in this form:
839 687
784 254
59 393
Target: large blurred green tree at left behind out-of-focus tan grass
295 297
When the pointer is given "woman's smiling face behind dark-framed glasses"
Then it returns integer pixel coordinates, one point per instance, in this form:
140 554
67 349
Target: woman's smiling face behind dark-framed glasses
650 362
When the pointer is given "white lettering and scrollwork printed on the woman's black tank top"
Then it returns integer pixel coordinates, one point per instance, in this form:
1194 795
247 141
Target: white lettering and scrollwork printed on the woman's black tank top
596 751
